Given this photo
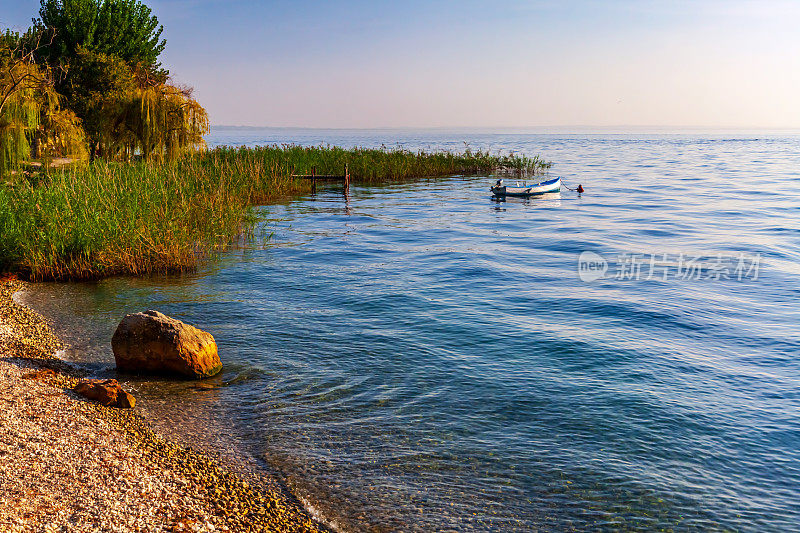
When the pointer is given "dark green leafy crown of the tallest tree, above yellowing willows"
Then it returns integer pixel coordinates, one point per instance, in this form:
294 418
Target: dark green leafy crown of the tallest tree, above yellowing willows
126 29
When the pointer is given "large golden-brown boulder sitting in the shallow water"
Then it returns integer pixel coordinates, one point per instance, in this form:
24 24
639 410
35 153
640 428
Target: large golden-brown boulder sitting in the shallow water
151 342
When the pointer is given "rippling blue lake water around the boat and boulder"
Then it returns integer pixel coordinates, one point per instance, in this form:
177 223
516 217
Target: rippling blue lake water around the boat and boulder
420 357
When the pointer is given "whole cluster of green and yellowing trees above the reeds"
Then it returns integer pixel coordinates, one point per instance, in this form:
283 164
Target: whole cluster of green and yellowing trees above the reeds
86 79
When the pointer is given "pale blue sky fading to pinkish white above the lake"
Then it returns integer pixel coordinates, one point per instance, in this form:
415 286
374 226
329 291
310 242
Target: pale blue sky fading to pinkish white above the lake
483 64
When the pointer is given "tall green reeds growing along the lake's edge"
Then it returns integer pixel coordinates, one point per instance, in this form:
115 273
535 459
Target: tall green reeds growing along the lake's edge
109 218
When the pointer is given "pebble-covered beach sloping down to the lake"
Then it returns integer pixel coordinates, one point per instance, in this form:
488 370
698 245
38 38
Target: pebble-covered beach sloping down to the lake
70 465
